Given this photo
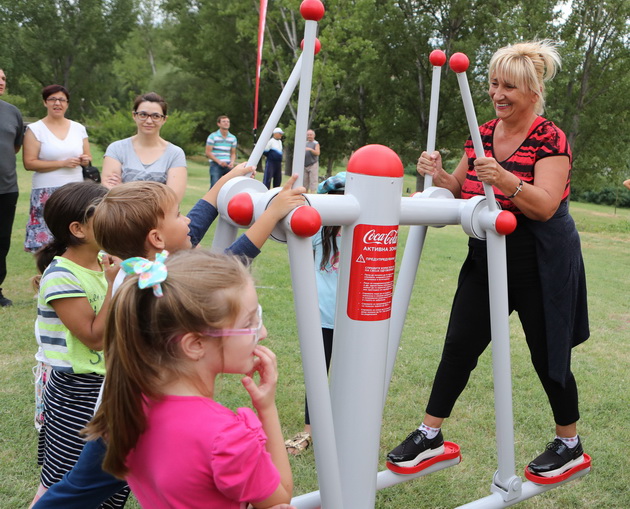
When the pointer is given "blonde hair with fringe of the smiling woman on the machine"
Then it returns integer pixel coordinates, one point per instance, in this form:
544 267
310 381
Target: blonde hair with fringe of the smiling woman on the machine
527 65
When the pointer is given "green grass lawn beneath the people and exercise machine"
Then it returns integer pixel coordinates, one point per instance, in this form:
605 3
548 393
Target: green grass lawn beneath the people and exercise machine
601 366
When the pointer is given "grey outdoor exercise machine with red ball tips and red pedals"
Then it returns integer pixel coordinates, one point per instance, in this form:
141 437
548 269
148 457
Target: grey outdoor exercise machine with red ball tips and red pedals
346 417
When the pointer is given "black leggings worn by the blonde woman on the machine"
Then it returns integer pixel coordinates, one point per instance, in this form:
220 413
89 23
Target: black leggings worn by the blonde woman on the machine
468 332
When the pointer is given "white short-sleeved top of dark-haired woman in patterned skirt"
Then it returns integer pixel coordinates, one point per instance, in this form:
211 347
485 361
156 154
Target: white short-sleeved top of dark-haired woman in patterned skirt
56 149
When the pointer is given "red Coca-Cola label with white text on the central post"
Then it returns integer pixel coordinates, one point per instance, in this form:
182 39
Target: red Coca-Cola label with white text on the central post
372 272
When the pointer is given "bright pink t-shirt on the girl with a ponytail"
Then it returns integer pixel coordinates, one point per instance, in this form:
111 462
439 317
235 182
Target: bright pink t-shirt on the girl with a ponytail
196 453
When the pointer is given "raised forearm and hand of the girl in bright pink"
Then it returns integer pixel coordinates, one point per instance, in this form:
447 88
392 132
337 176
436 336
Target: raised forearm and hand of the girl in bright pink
263 397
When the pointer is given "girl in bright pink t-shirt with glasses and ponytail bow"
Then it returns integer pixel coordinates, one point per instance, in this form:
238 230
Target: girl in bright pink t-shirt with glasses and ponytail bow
175 324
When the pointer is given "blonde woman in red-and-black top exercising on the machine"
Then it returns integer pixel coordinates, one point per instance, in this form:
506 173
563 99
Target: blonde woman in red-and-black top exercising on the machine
528 161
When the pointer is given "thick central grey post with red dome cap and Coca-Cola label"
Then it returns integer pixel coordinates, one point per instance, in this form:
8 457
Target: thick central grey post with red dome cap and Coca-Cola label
366 281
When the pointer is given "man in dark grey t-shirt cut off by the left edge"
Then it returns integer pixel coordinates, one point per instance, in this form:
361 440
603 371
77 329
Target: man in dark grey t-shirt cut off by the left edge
11 136
